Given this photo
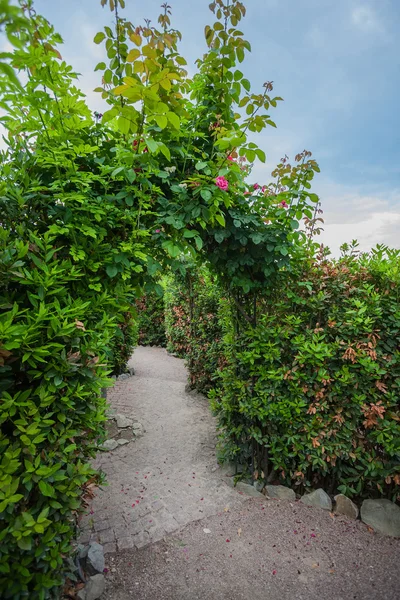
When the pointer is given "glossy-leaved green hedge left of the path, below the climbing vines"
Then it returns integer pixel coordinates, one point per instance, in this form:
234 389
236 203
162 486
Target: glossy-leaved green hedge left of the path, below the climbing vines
51 414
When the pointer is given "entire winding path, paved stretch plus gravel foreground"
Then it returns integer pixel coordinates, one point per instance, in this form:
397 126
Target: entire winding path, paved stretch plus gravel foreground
174 530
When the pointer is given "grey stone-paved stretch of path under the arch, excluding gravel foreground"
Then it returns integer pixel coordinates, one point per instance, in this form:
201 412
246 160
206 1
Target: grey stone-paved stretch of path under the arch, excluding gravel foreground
167 470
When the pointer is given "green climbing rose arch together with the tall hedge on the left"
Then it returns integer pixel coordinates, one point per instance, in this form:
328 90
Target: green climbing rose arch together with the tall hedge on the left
92 209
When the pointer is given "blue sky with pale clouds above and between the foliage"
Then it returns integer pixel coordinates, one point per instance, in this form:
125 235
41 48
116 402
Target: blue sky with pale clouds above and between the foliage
336 63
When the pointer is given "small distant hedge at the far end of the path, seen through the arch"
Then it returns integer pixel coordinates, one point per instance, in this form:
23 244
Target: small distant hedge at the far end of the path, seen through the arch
151 320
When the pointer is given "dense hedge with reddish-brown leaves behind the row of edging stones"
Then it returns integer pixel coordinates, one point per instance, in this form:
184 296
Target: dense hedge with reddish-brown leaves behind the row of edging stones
311 394
